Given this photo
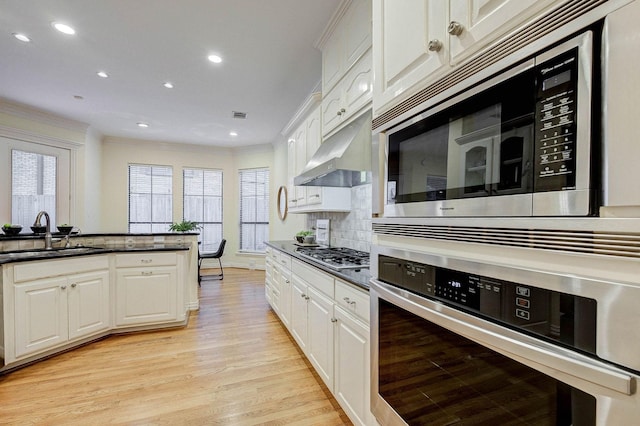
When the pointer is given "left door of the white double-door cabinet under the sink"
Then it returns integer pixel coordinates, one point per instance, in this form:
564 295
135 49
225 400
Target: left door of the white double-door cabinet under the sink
41 315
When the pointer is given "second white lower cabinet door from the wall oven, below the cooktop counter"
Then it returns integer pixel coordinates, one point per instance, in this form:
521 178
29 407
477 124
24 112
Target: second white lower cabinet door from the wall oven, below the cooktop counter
320 343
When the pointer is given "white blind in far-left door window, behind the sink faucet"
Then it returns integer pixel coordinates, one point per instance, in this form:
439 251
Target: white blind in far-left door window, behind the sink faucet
33 187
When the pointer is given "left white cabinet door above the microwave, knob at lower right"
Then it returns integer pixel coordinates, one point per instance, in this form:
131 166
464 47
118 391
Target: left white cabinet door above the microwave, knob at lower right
402 32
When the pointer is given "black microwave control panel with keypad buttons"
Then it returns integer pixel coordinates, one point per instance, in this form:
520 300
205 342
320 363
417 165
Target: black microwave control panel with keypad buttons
555 133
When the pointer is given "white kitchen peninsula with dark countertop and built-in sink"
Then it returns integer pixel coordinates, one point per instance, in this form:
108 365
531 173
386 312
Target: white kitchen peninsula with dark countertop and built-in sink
57 299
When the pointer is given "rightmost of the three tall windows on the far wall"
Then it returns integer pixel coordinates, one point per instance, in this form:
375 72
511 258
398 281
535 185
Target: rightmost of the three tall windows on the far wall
254 209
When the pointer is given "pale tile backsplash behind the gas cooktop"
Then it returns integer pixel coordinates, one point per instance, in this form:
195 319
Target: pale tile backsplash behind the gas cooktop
353 229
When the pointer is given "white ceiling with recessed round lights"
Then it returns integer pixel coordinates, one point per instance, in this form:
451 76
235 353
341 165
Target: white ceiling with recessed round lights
271 64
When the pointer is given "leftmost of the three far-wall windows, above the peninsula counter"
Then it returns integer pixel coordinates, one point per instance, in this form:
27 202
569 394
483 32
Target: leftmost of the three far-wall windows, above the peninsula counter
150 198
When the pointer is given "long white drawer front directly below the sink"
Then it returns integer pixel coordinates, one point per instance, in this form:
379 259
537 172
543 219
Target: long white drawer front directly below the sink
29 271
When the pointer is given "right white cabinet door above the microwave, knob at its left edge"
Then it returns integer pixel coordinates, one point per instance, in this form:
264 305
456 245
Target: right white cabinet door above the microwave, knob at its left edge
484 21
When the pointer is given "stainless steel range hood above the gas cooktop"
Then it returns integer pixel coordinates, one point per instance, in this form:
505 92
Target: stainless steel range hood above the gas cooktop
343 160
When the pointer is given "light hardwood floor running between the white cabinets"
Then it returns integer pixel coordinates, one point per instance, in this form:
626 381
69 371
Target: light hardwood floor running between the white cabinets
234 364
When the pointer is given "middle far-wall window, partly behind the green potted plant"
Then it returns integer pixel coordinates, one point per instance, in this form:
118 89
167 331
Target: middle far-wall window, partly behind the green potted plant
202 203
